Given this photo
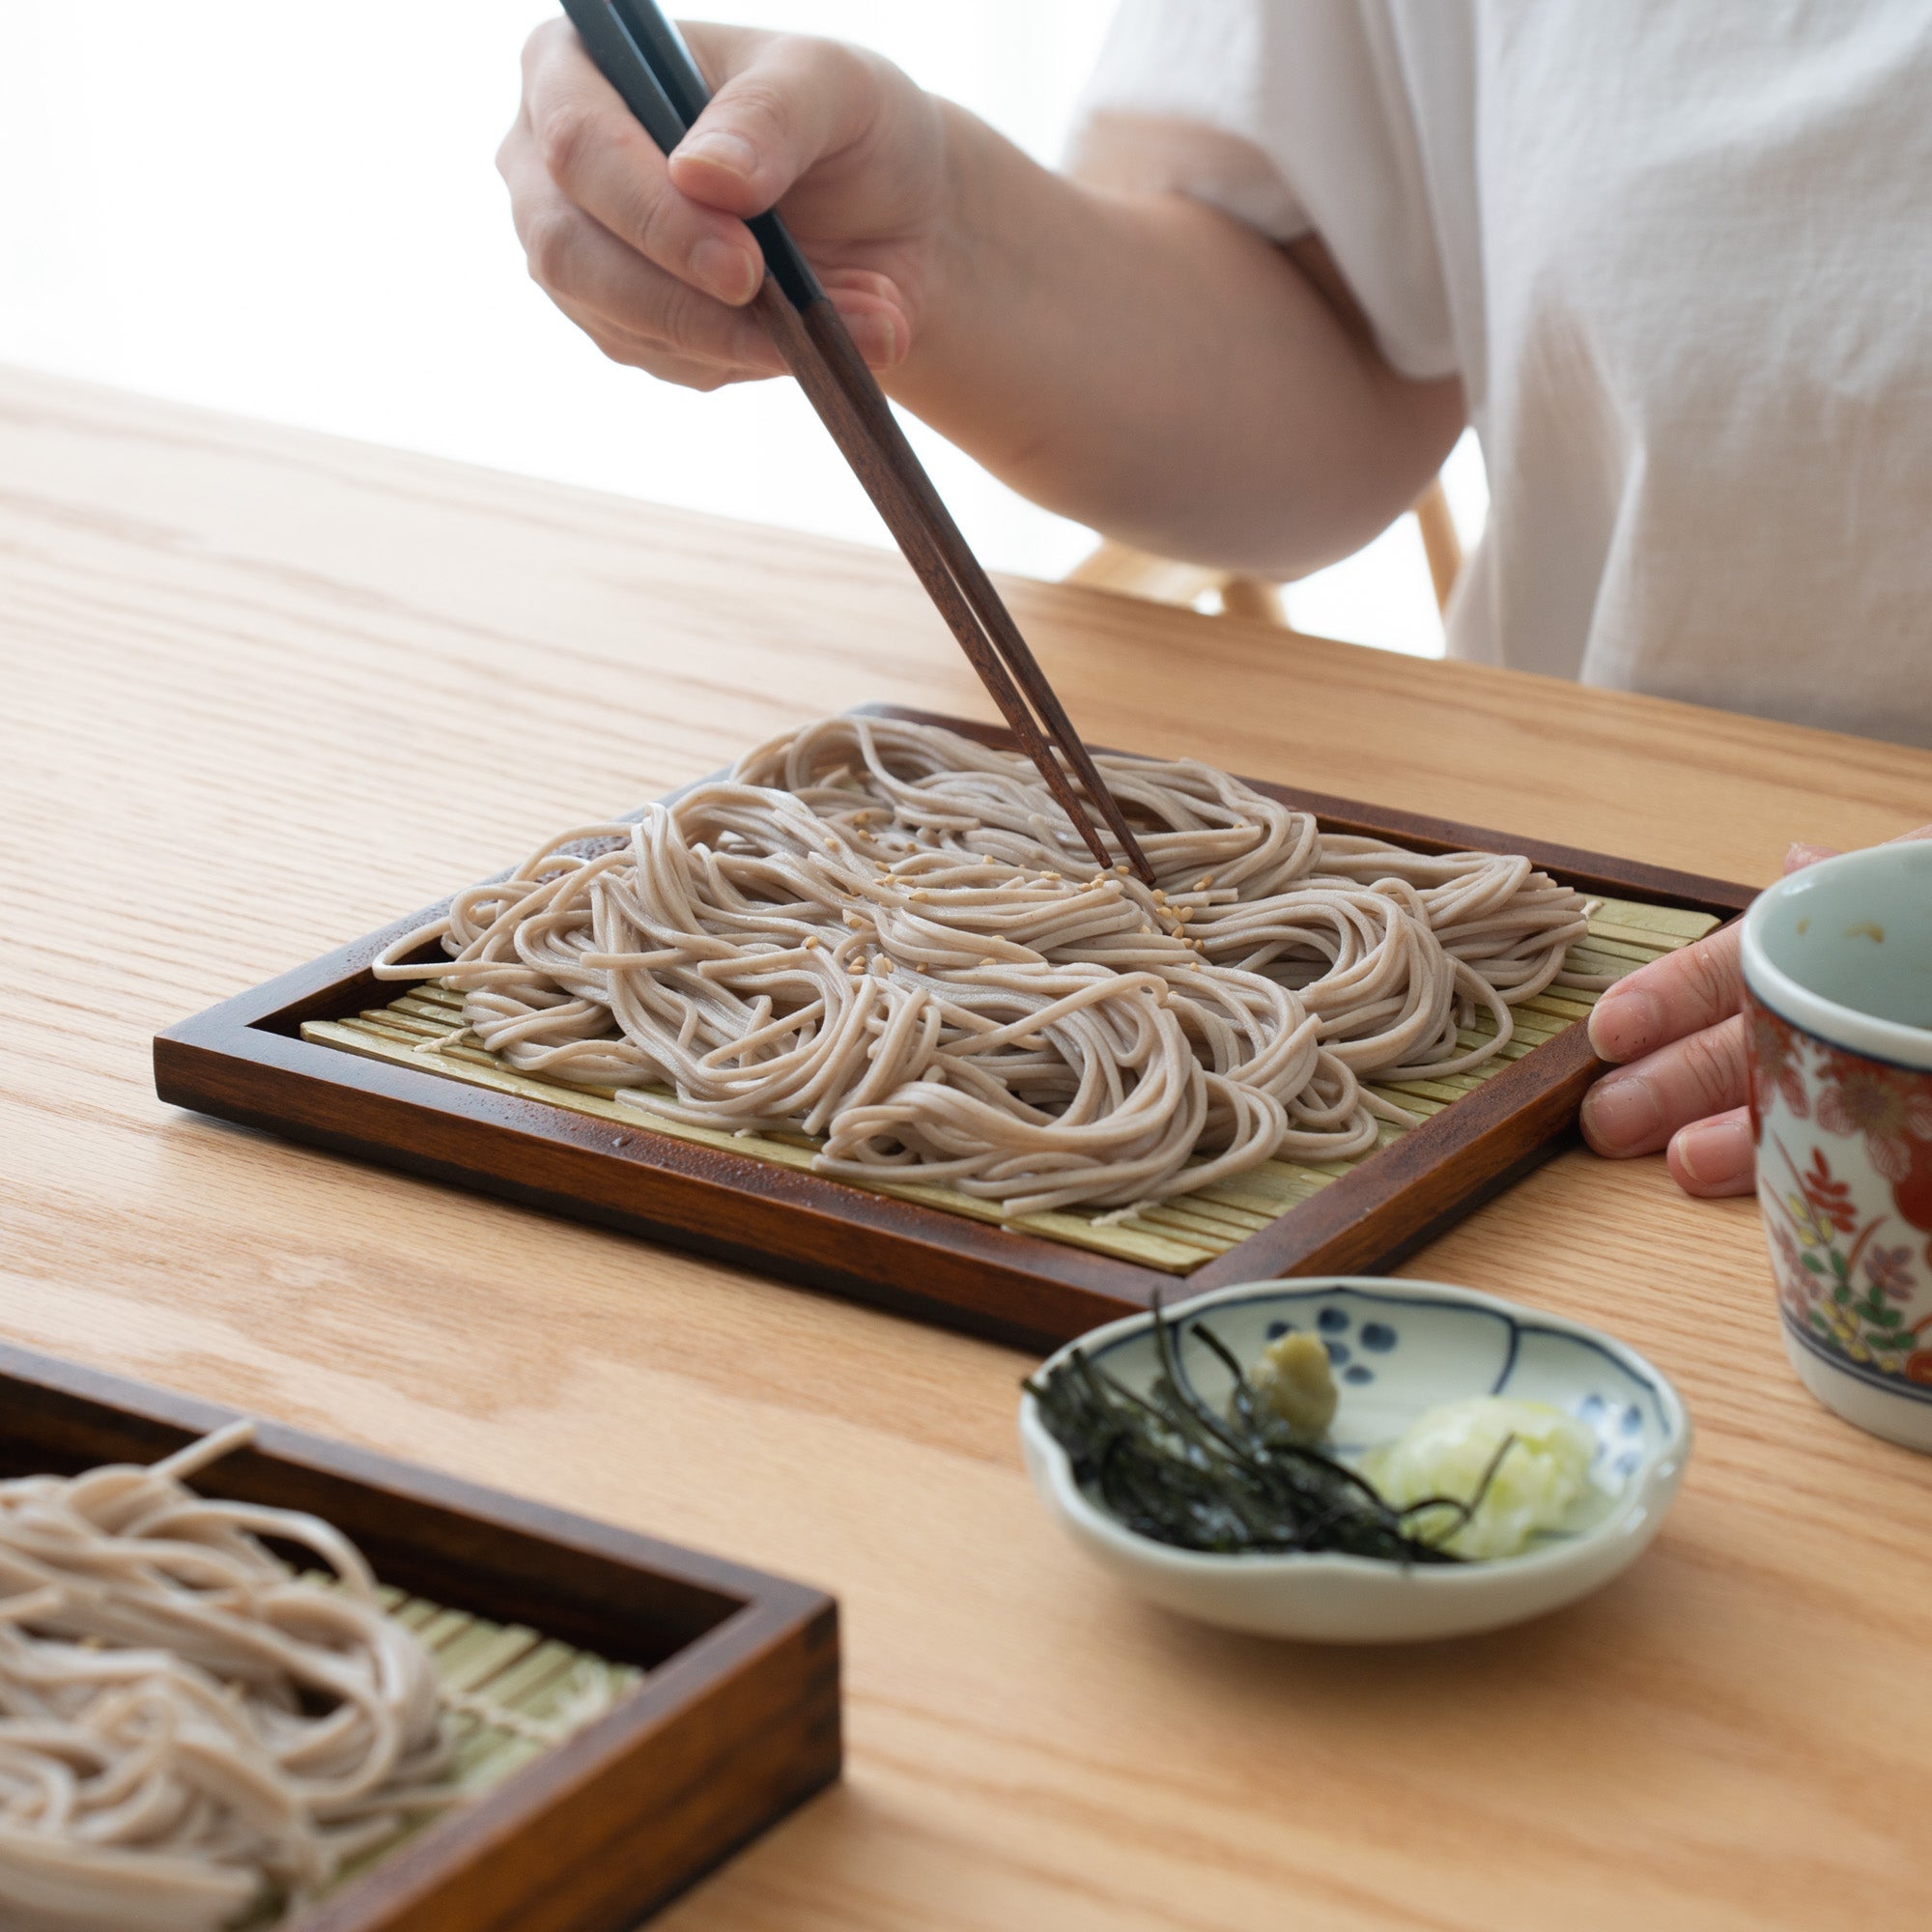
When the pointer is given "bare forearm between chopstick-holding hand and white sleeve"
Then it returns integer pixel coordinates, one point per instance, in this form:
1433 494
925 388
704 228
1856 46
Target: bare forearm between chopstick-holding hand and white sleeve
1156 370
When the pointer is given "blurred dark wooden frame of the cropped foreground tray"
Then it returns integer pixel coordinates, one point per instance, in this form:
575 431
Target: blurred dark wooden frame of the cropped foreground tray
735 1726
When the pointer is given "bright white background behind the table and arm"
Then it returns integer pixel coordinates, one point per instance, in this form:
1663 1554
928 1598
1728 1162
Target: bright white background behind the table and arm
293 213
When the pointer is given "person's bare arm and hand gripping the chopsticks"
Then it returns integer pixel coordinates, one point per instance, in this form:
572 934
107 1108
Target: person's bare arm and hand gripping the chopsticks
1137 362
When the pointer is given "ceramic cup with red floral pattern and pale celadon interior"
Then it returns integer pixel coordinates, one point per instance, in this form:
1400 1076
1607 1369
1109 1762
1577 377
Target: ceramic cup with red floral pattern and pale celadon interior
1838 975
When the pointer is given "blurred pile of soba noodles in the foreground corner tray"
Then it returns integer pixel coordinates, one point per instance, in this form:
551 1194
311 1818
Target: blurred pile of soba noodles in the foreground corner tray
190 1730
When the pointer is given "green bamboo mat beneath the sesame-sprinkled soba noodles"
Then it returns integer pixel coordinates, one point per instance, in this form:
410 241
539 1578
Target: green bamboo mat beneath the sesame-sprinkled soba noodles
1176 1236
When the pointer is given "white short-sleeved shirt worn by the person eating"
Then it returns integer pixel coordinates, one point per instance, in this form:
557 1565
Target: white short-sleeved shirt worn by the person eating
1680 252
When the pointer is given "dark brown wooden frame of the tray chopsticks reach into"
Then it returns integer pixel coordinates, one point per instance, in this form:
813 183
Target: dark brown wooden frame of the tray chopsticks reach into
246 1062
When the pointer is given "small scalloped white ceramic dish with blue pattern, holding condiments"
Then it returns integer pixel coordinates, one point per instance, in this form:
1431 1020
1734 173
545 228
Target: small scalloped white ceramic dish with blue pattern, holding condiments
1398 1350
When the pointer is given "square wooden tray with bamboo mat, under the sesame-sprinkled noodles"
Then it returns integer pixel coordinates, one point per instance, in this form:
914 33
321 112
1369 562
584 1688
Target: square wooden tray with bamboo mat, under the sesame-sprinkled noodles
333 1056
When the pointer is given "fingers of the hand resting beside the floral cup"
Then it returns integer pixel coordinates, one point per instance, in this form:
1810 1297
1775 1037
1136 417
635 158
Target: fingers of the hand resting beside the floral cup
1678 1027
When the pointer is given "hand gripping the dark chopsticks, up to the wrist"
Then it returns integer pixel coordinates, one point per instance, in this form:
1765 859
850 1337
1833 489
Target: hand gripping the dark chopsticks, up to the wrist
654 262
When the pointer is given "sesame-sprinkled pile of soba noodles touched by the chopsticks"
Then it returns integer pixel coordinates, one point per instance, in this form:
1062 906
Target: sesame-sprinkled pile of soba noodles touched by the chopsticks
894 938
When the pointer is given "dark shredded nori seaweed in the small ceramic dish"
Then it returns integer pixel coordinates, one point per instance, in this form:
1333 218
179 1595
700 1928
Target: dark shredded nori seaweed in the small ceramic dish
1174 1469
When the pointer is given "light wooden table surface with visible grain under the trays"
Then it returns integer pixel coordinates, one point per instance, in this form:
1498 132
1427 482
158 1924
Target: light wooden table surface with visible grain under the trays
262 693
